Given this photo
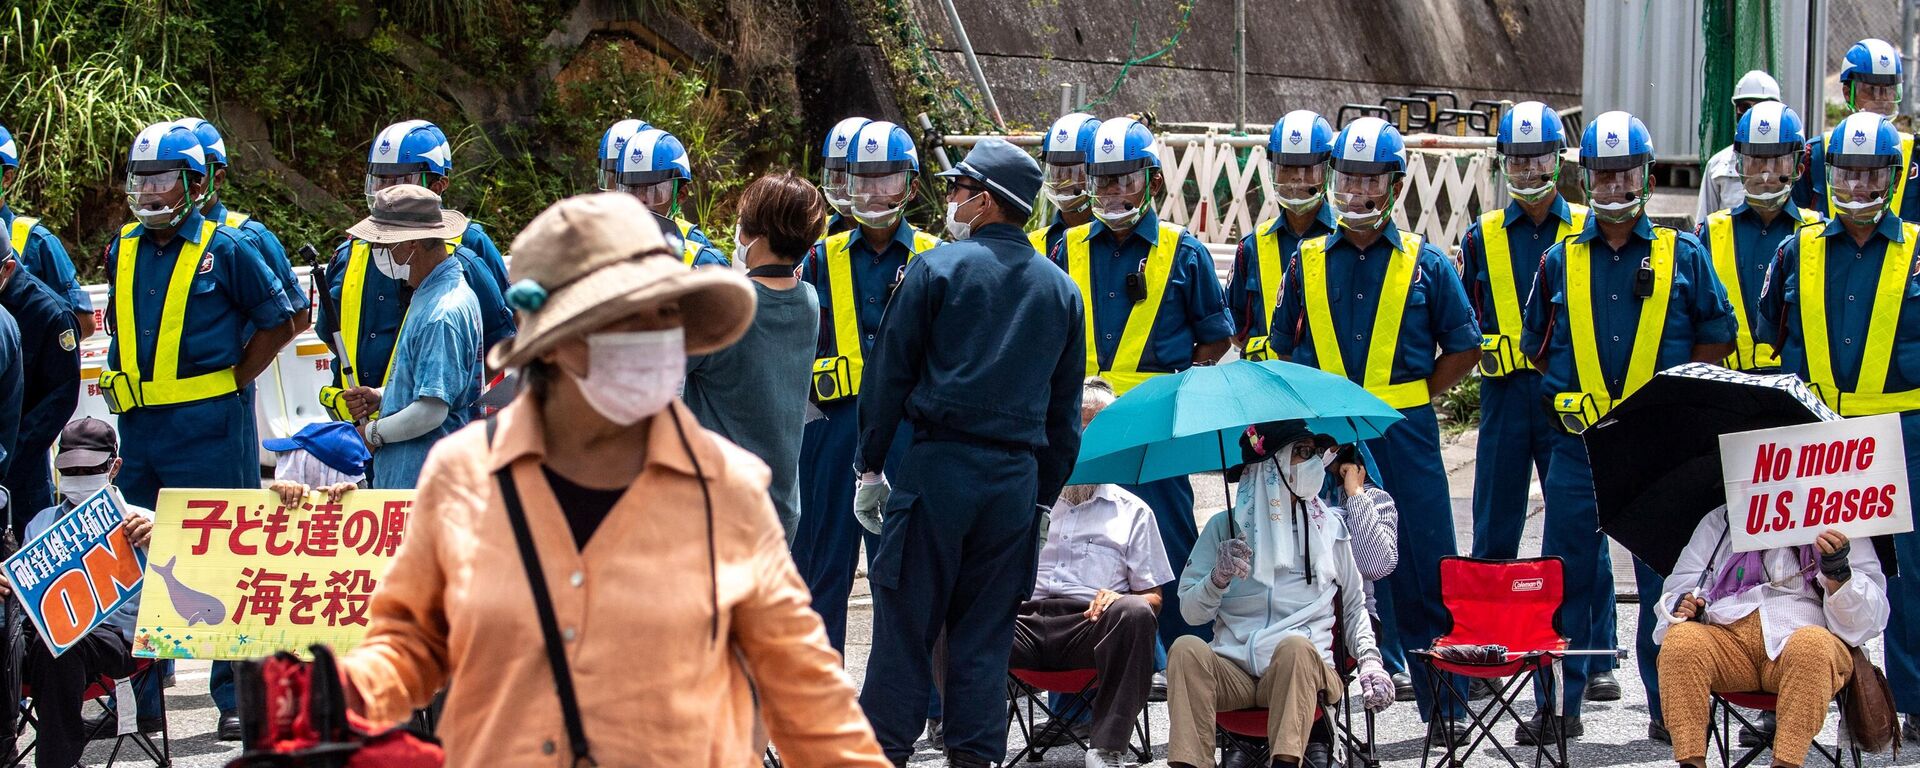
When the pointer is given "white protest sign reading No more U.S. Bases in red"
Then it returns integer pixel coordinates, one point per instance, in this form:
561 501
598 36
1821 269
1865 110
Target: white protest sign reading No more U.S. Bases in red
1785 487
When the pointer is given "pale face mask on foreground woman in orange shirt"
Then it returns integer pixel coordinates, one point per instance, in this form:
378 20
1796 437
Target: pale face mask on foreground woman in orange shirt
633 375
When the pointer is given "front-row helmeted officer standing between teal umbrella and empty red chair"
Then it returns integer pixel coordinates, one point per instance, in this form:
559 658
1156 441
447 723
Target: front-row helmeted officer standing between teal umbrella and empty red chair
1376 304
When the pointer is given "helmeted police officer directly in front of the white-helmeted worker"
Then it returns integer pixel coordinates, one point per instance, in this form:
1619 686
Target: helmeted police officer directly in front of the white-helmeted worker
1769 147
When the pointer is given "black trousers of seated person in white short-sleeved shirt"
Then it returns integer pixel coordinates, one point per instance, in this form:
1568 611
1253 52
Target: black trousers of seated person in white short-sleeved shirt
1055 635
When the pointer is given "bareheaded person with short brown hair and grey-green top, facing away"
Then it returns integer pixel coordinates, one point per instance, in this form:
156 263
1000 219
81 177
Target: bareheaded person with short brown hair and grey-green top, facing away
756 391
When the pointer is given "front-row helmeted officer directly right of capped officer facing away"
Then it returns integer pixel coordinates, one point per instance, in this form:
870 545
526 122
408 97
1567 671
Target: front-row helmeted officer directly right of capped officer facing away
1130 262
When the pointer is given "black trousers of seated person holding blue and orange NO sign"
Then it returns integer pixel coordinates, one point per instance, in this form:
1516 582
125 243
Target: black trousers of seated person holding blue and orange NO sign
59 686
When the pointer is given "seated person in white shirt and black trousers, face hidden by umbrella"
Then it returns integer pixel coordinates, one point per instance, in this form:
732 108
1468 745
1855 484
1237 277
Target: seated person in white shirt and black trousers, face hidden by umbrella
1097 598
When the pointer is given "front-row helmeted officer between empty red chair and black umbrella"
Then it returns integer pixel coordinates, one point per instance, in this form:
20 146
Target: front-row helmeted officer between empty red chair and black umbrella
1610 308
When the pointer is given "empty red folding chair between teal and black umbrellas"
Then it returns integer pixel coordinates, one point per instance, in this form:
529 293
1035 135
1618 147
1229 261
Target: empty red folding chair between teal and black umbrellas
1512 604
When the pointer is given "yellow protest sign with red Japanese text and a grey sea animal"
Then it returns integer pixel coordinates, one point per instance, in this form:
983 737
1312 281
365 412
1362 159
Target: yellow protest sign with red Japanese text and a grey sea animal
235 575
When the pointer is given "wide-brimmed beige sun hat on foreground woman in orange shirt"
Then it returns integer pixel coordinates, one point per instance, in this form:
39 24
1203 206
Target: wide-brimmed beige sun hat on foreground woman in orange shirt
598 258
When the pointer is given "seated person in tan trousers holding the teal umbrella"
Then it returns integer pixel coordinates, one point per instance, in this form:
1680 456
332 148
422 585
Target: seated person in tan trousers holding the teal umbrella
1272 577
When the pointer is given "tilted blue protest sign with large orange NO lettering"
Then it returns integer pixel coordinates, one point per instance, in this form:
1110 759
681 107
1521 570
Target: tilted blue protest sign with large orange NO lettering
78 573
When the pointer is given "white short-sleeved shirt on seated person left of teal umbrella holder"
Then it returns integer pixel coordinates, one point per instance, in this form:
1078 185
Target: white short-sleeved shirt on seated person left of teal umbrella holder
1109 542
